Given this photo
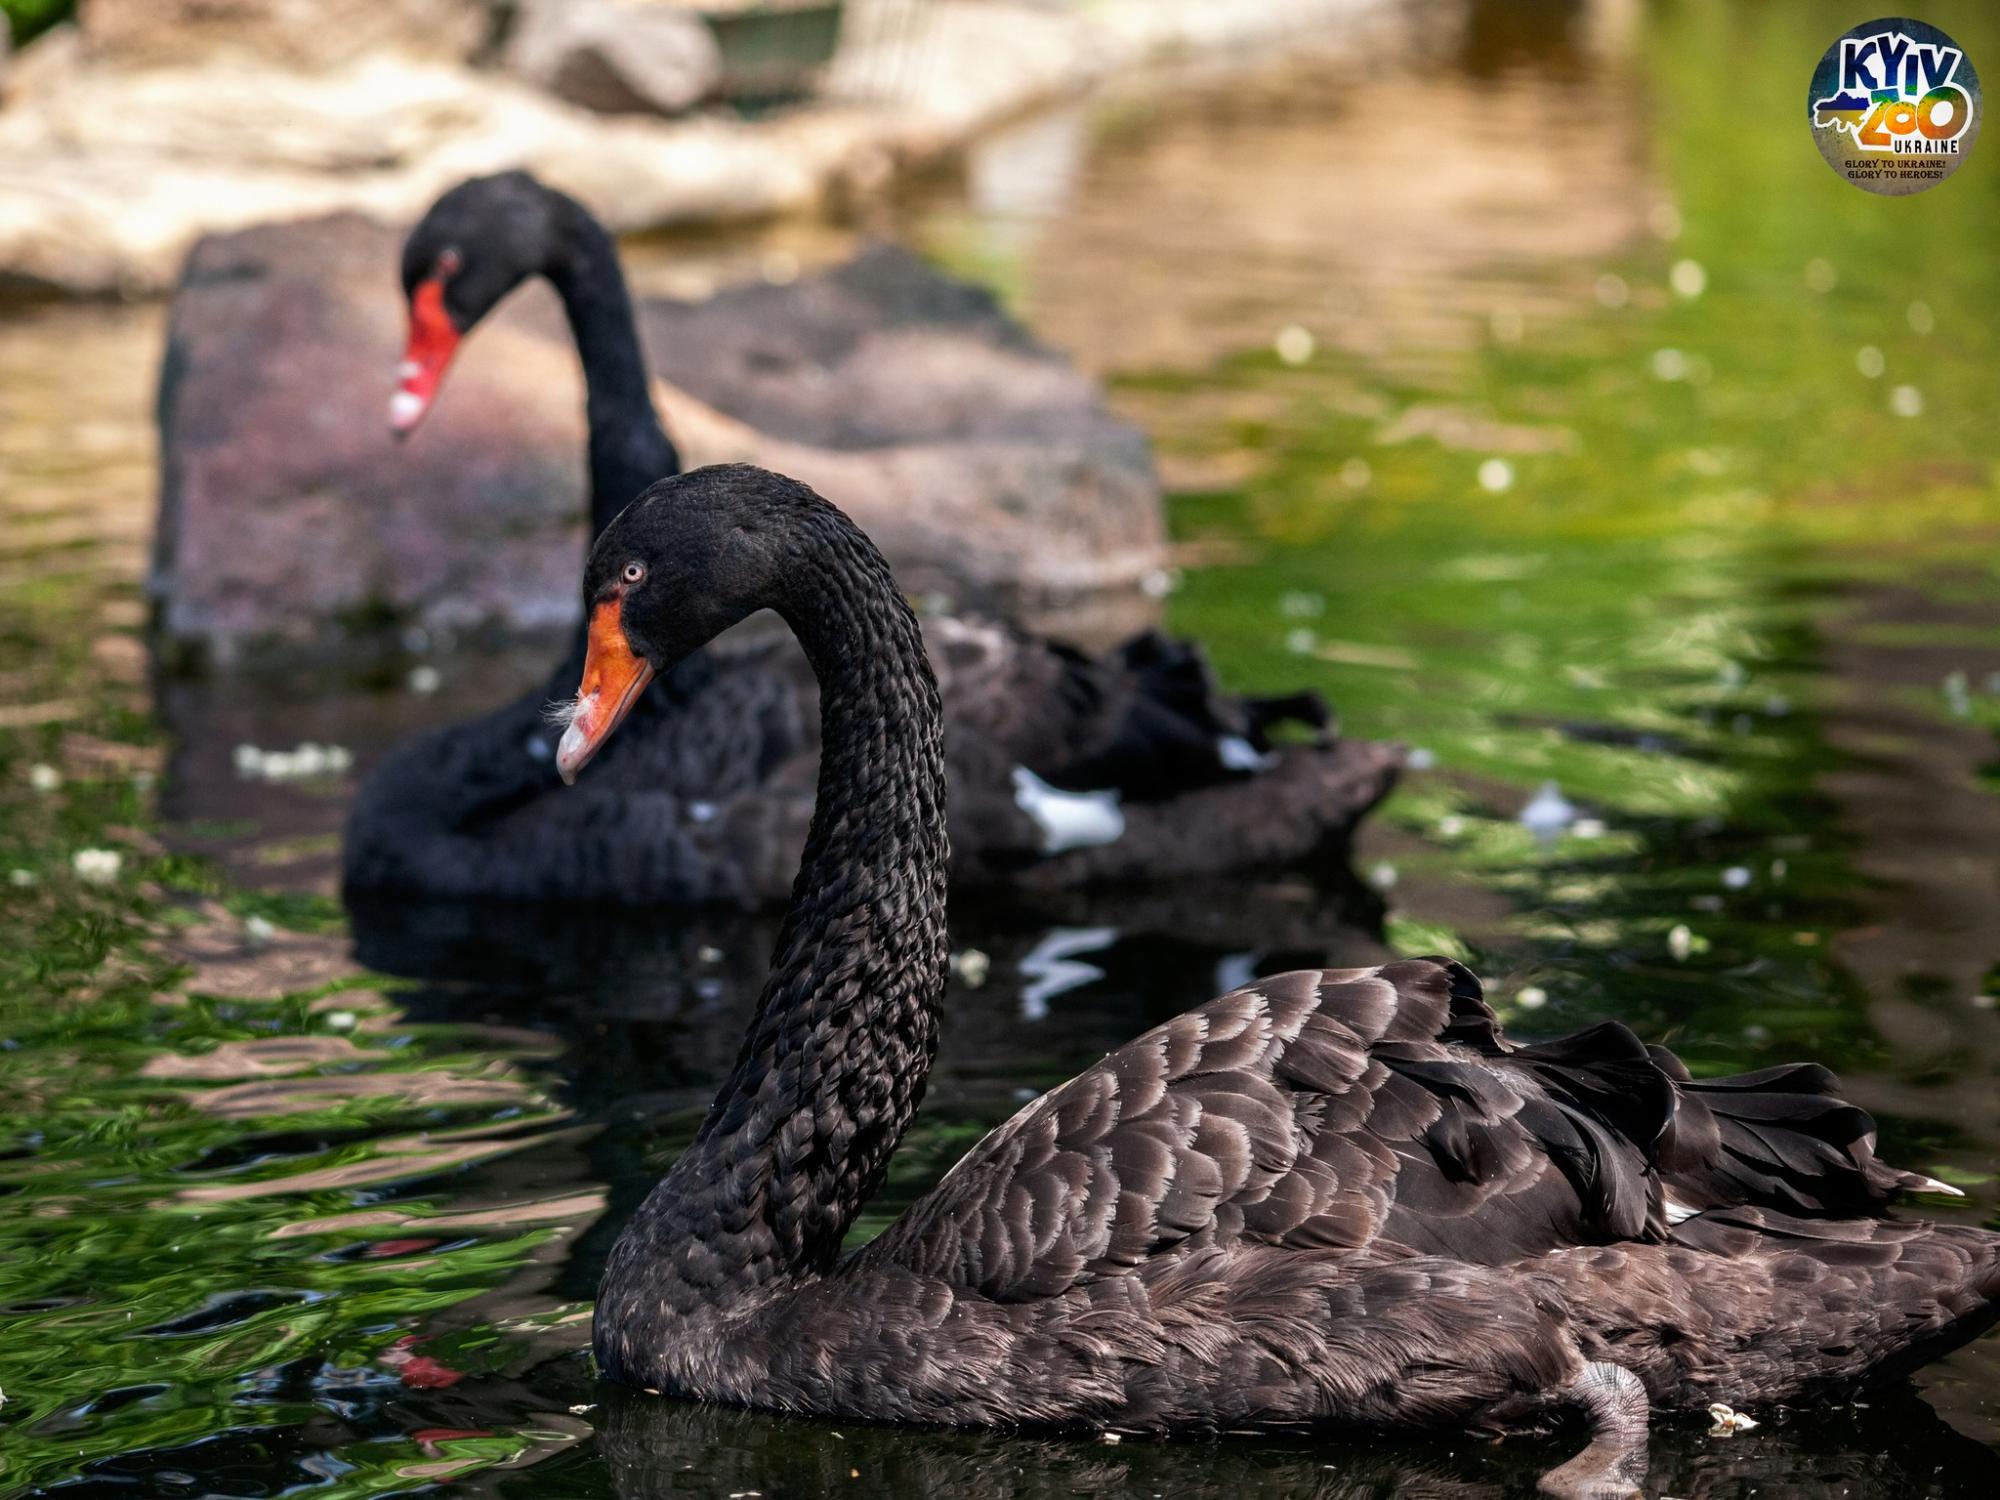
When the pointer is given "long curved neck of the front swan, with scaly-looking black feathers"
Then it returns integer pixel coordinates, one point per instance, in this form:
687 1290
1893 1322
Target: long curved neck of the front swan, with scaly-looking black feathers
845 1033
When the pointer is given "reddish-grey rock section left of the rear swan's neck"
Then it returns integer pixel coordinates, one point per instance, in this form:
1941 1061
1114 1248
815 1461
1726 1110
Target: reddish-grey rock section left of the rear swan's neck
289 517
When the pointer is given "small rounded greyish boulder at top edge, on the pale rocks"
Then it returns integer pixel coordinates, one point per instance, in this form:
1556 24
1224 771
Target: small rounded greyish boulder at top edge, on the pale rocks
615 57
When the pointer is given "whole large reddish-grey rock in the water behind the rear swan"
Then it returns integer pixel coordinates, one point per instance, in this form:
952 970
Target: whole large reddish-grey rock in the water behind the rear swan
293 525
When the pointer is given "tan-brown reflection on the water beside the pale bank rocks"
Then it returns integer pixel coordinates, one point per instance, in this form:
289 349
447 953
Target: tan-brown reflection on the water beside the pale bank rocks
1391 189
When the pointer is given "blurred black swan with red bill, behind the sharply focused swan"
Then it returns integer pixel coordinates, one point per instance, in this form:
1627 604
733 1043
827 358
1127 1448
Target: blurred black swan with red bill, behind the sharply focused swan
1065 769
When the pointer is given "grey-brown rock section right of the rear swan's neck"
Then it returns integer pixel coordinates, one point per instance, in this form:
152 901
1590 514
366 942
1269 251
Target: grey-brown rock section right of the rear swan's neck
985 465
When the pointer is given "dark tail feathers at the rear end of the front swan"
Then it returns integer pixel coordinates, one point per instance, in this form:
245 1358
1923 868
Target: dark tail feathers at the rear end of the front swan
1775 1139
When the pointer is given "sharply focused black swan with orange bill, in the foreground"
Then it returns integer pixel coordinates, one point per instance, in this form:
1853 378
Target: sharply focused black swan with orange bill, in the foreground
1331 1199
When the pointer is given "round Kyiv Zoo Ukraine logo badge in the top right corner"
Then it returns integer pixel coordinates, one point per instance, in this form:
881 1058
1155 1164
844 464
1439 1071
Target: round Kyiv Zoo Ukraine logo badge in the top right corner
1895 107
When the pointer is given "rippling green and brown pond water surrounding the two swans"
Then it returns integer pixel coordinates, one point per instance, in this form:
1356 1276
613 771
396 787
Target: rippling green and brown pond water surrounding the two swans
1525 383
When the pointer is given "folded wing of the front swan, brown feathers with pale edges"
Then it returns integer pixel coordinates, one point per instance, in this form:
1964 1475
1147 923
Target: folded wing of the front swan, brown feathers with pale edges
1337 1111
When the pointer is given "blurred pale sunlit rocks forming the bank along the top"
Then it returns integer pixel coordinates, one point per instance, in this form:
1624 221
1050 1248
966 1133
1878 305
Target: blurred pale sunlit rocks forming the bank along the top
131 127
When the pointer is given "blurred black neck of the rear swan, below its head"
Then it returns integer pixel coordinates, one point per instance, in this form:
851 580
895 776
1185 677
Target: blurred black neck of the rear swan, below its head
629 449
